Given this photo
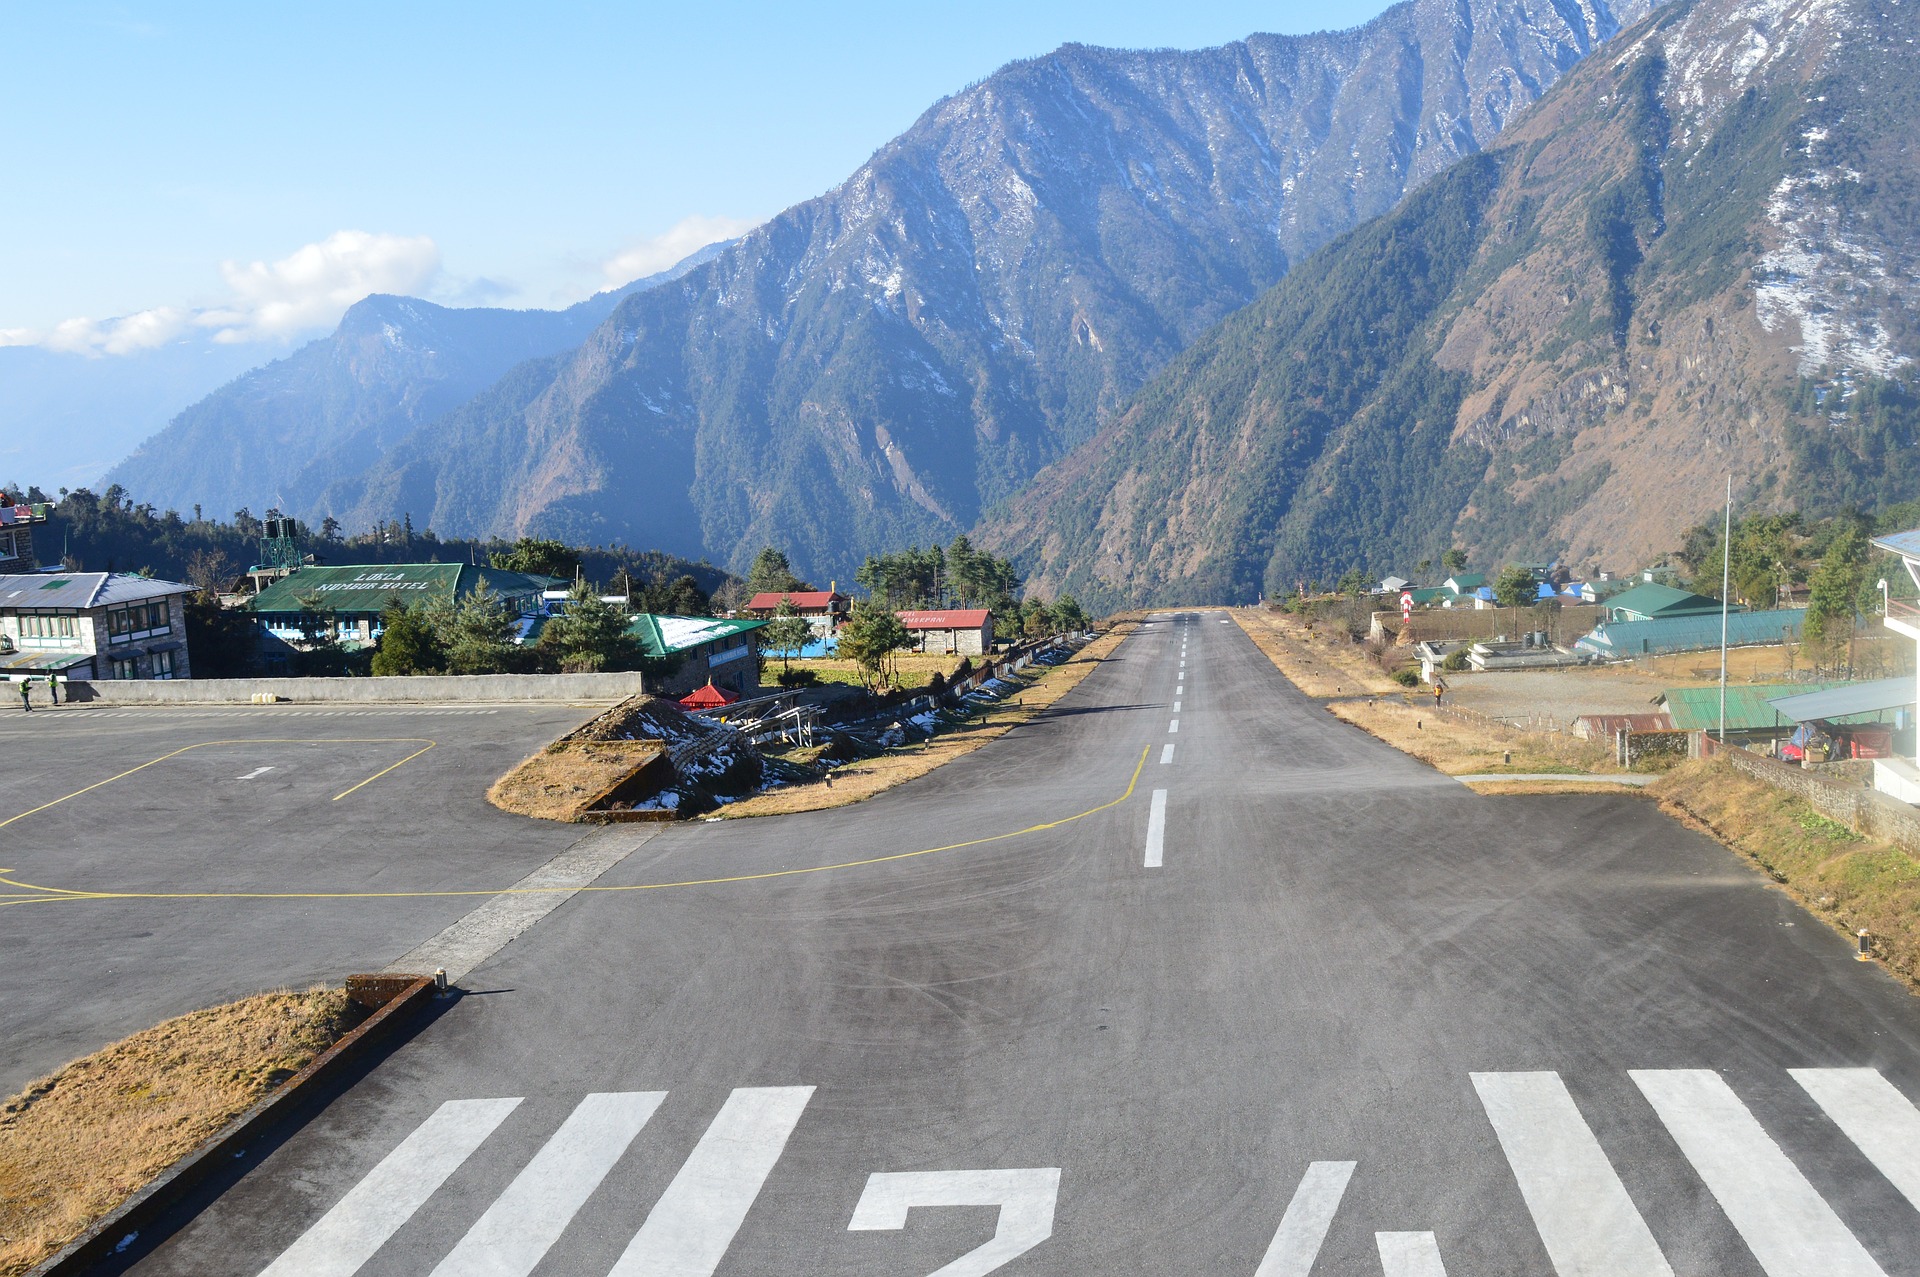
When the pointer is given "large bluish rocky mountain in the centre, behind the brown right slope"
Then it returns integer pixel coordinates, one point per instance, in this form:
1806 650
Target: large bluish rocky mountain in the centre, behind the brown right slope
888 360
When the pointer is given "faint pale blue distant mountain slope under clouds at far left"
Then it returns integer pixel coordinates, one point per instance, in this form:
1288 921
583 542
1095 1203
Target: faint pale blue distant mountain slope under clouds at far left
66 418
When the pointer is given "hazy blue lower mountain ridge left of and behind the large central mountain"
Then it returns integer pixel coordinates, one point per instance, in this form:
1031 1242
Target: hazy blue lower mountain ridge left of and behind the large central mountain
283 433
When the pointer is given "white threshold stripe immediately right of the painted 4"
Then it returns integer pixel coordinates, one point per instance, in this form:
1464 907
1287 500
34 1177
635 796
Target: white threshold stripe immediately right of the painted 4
1577 1201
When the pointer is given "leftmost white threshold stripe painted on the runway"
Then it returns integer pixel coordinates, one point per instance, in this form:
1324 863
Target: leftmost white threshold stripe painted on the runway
387 1197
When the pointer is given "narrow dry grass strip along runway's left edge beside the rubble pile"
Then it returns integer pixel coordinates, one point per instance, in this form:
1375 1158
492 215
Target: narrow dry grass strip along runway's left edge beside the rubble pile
869 777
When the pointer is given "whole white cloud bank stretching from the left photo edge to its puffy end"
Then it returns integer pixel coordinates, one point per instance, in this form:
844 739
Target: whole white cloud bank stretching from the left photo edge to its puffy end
308 289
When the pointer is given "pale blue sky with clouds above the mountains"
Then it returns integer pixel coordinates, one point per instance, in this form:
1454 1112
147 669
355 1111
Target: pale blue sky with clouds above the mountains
243 170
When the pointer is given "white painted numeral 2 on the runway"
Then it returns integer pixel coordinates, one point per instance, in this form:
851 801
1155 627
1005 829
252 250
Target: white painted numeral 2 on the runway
1026 1201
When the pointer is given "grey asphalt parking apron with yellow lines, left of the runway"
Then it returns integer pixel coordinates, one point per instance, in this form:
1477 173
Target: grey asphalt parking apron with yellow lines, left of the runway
276 800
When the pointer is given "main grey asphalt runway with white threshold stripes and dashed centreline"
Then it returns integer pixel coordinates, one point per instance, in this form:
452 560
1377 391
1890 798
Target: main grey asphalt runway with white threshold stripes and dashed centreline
1184 978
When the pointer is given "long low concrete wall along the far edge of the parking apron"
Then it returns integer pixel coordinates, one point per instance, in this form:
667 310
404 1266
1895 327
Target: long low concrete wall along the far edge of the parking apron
360 690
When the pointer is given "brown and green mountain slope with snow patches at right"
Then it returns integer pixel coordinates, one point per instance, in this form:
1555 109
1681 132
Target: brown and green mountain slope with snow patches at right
1694 258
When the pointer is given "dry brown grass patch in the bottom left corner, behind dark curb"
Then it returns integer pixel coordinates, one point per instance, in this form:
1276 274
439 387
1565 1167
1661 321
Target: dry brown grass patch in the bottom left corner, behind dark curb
78 1144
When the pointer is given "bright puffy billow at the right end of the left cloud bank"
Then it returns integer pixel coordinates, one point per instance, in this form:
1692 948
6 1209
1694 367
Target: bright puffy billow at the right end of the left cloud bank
316 285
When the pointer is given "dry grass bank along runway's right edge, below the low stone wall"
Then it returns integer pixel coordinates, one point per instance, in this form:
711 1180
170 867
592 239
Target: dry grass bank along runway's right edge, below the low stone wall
1842 879
